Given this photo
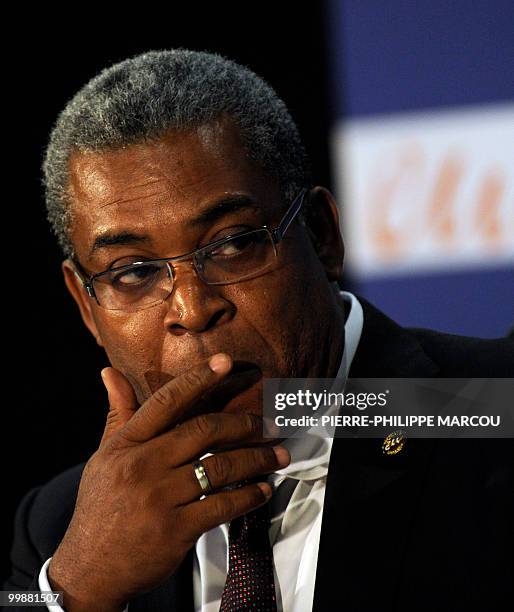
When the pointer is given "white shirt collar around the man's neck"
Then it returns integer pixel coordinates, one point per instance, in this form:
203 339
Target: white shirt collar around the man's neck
310 454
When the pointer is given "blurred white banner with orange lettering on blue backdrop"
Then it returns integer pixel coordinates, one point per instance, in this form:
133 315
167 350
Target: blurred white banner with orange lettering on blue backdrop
427 191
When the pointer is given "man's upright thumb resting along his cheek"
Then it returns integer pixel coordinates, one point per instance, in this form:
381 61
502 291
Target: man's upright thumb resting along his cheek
122 401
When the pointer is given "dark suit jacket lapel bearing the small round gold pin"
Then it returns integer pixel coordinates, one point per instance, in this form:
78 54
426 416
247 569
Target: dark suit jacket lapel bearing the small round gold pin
371 498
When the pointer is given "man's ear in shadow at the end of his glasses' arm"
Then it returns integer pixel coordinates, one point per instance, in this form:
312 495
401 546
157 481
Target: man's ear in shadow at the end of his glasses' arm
322 222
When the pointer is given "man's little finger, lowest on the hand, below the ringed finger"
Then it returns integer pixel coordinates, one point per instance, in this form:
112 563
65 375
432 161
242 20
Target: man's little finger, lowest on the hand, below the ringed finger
219 508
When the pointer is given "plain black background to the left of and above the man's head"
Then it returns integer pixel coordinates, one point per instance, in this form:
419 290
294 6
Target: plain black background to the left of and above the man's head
54 402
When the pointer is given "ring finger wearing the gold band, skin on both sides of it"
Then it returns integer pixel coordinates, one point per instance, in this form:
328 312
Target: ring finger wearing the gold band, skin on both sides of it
229 468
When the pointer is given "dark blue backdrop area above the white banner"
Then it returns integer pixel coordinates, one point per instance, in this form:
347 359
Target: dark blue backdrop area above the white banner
398 55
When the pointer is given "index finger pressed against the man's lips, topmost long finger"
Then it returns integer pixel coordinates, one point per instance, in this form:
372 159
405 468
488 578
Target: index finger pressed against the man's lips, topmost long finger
174 398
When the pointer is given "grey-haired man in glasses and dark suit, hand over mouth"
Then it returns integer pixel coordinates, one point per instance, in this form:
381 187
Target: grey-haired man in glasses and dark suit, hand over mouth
203 260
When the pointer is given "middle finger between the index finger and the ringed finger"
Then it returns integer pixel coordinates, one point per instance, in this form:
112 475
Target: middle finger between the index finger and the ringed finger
205 433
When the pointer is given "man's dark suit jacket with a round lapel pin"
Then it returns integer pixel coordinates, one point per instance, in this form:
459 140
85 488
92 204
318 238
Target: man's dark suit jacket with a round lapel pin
427 529
